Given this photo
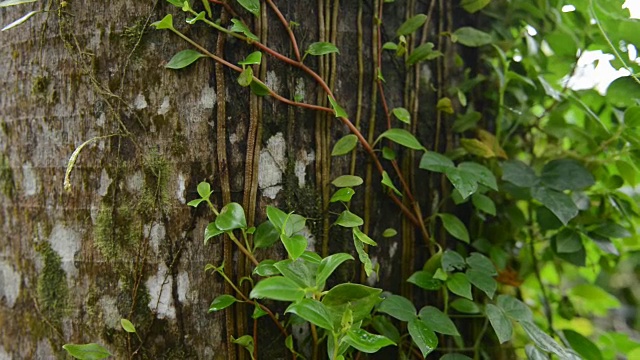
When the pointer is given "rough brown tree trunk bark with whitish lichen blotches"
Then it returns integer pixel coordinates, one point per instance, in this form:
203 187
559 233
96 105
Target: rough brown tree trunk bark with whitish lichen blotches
122 243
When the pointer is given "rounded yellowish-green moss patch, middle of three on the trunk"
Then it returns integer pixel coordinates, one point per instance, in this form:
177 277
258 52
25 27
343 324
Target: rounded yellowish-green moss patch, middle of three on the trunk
117 232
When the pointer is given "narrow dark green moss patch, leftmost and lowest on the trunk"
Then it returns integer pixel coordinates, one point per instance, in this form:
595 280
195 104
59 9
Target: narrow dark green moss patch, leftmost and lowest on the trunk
52 285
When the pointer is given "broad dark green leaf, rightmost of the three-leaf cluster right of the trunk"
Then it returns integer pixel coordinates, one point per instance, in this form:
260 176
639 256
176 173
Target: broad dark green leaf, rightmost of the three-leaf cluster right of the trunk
566 174
